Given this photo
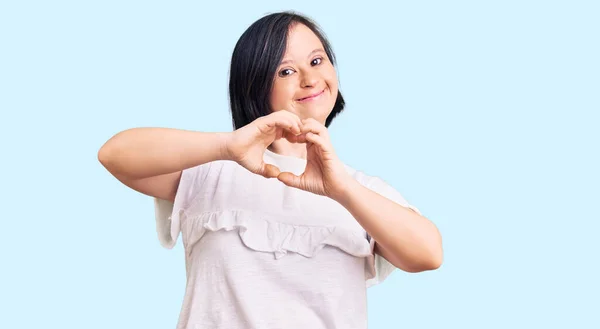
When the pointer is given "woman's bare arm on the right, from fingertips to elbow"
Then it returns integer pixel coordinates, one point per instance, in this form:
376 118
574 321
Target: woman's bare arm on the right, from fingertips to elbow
406 239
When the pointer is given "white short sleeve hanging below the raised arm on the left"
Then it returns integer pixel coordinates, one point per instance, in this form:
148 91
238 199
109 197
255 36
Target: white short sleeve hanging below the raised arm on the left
168 214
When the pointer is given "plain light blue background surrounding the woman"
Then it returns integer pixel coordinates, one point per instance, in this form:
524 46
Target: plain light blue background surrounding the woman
483 114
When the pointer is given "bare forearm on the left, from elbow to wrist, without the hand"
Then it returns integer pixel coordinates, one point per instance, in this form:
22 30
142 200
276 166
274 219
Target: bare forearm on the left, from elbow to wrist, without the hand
146 152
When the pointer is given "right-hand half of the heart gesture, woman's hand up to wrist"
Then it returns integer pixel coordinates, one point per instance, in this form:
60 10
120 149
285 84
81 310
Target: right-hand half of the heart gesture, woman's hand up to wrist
325 174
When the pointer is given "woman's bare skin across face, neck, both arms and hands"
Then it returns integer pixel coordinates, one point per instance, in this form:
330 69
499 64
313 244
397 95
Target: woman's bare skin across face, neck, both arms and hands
151 160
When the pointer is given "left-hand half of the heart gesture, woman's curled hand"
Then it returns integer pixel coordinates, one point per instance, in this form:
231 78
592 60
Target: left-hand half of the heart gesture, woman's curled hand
247 145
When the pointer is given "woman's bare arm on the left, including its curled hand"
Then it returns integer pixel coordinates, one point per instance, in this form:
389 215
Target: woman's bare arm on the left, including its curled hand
150 160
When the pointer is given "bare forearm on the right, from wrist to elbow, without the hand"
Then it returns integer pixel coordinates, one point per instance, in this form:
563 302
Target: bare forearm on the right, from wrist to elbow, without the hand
413 241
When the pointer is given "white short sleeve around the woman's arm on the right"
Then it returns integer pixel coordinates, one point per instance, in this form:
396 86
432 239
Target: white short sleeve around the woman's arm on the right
382 268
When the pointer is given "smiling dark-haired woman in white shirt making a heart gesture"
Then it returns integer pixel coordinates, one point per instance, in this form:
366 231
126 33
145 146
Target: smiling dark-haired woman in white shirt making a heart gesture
277 231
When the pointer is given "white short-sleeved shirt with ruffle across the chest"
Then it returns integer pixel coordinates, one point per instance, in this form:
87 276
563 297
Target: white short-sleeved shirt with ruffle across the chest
260 254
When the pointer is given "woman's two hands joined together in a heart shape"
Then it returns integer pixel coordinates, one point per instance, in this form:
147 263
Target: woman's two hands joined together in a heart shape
325 174
